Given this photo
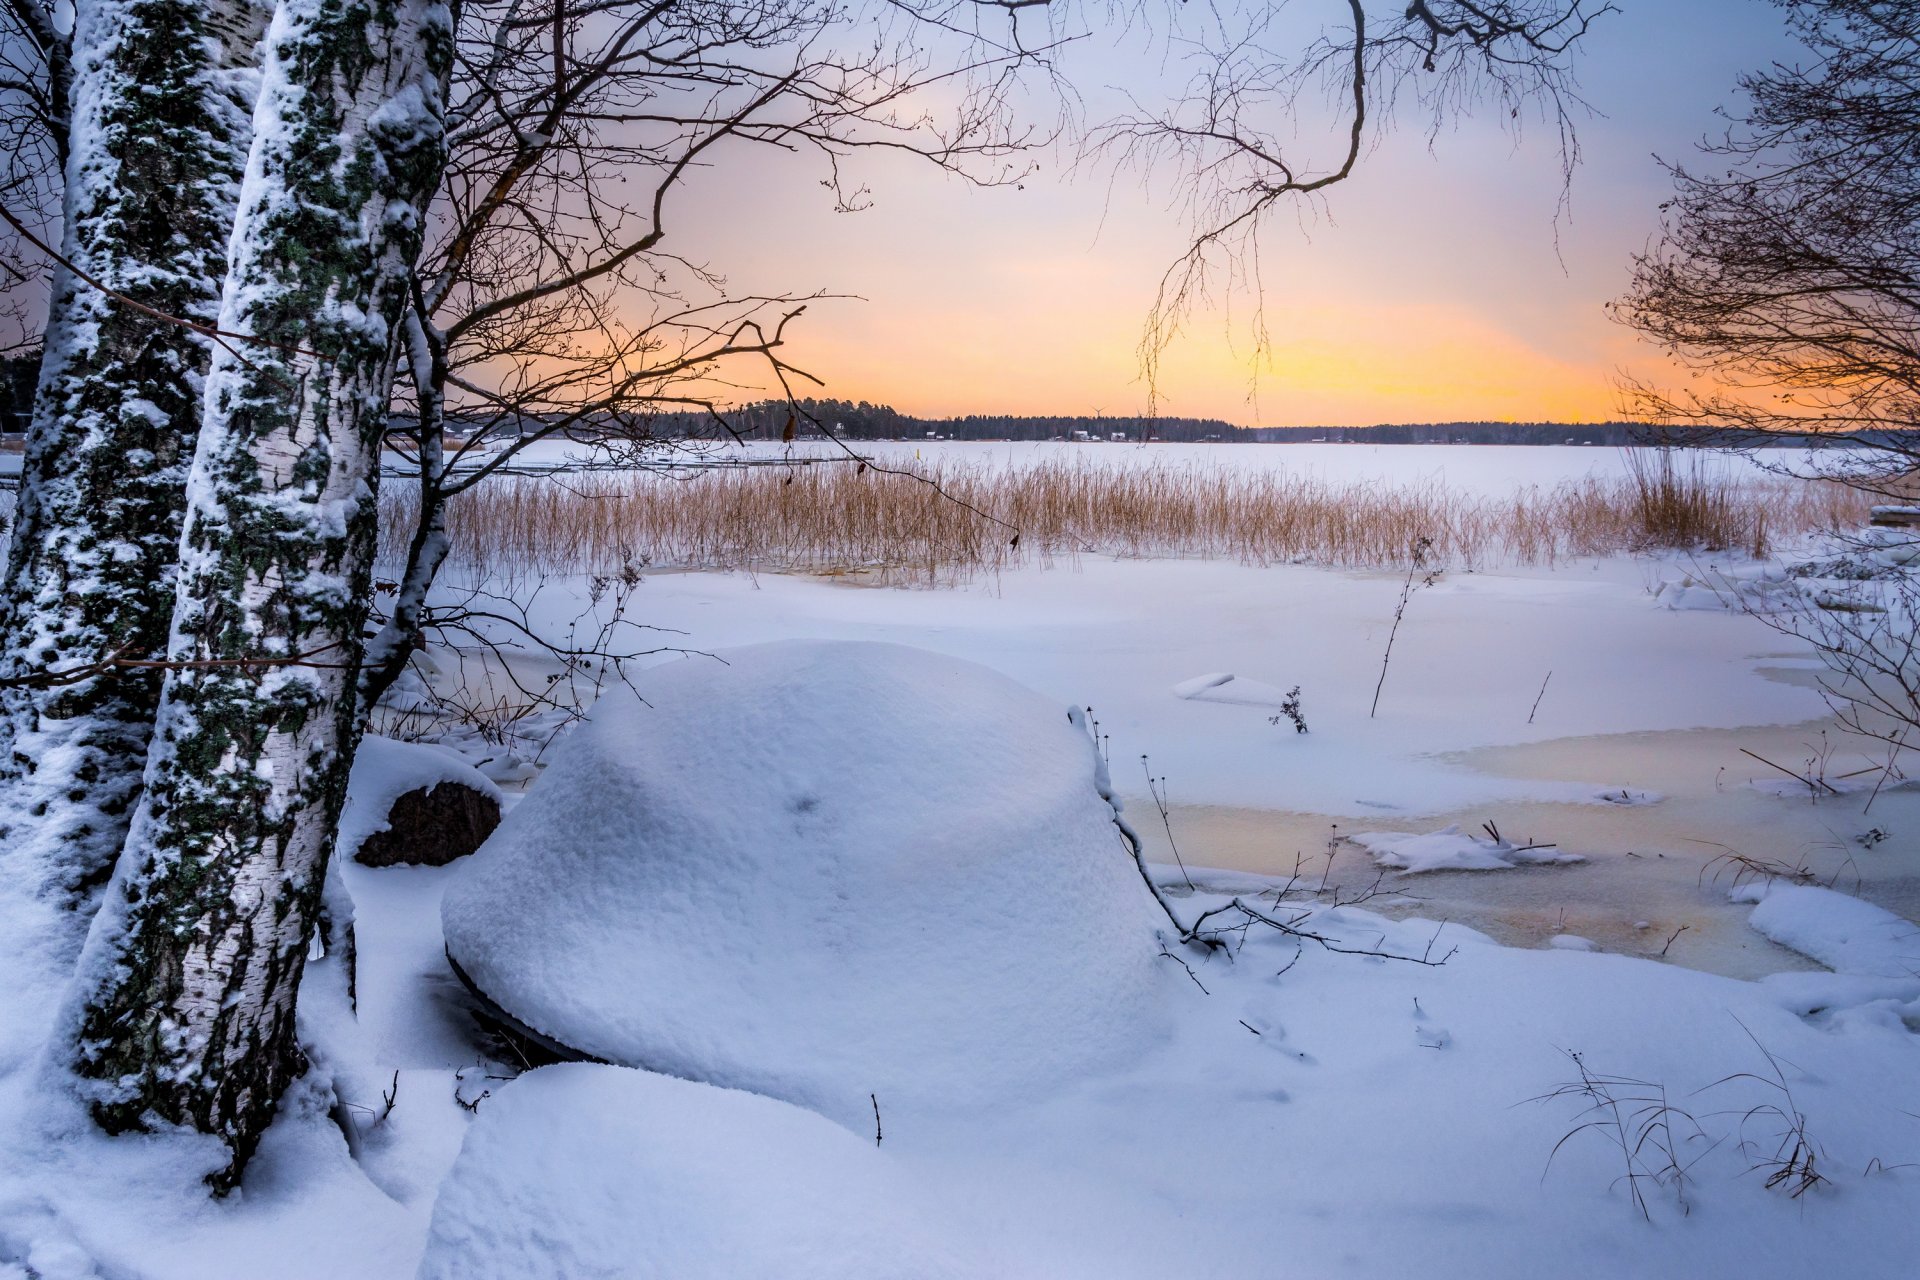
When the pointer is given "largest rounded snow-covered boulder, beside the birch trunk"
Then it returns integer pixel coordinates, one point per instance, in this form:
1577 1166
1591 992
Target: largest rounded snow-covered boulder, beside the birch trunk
821 872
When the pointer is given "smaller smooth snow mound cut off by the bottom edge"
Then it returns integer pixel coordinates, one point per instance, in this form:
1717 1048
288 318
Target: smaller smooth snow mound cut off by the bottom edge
583 1173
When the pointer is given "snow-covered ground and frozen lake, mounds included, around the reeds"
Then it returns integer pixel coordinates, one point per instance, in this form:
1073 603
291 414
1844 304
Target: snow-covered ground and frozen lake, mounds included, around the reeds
911 1012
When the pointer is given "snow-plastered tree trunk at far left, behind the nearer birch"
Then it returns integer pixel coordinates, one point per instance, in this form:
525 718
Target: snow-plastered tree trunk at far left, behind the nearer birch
160 122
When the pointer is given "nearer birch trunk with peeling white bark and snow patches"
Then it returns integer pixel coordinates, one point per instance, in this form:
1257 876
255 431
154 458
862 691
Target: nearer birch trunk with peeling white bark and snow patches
193 966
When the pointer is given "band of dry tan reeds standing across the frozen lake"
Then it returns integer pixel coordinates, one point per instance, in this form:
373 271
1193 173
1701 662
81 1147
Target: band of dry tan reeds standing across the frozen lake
838 519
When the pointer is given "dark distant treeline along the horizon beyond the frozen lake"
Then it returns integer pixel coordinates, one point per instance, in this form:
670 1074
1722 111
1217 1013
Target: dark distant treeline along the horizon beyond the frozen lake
863 421
